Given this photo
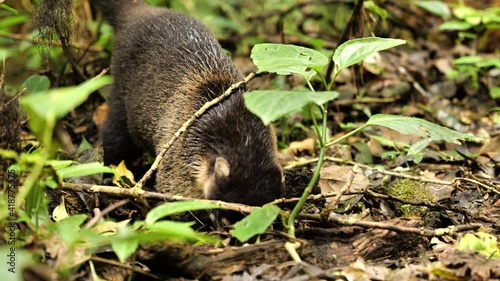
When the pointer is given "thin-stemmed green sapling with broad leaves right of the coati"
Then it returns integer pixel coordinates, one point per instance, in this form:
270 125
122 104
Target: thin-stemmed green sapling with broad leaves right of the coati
288 60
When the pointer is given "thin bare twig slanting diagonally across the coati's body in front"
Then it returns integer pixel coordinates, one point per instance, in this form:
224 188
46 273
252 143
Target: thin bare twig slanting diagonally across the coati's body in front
186 124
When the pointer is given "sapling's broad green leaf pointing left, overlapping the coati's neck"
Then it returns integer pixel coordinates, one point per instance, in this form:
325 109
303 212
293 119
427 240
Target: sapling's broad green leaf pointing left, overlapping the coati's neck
272 105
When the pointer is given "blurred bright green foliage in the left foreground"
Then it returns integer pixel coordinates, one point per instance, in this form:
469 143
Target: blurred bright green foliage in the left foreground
28 204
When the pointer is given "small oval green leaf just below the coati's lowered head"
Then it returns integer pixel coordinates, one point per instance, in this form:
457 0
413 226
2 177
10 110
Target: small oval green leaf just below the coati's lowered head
255 223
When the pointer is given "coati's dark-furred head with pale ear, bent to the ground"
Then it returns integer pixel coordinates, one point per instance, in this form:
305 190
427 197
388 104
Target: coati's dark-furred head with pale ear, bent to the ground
238 155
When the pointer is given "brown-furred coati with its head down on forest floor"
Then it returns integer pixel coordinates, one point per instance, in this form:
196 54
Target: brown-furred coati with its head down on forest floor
166 65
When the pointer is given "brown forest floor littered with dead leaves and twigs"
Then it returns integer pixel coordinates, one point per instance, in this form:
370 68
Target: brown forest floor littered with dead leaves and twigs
390 216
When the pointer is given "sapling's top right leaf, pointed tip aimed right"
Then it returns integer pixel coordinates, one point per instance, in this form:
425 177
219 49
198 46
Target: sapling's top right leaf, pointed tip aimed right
355 51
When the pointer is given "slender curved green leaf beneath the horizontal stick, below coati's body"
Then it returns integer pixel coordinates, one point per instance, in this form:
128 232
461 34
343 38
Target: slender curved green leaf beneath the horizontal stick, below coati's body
171 208
